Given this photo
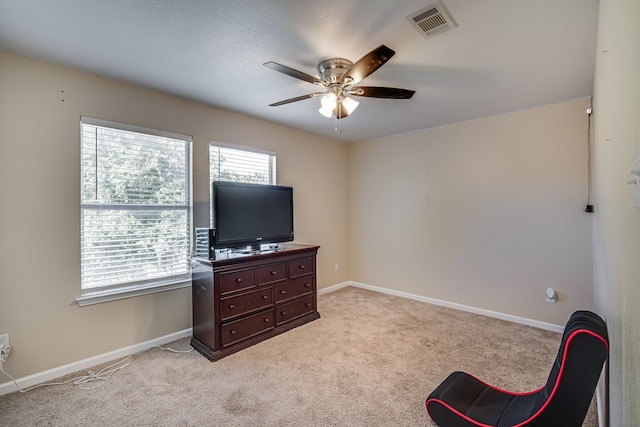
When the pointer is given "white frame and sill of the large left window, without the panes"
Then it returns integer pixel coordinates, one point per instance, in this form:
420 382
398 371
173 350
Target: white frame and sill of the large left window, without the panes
94 295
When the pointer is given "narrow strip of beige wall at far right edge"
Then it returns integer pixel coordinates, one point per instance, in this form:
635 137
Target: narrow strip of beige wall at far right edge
617 222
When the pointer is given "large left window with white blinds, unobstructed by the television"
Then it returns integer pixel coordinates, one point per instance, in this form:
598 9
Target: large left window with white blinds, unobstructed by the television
135 210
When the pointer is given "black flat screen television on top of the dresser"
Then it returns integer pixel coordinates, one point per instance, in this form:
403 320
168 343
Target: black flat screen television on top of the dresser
251 214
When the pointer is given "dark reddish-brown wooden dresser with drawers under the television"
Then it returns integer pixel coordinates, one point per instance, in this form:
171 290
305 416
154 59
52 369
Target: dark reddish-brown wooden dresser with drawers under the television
242 299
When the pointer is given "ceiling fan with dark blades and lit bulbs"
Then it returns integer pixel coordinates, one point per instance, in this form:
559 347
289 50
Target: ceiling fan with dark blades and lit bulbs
338 77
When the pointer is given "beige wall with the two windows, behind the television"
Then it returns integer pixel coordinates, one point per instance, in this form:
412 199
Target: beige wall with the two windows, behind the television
40 109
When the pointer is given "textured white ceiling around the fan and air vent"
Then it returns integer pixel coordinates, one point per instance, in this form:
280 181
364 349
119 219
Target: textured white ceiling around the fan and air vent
505 55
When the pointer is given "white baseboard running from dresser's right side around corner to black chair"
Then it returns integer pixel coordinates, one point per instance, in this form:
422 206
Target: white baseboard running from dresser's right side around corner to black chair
483 312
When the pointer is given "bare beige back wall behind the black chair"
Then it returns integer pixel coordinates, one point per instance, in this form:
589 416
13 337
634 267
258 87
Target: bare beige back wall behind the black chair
486 213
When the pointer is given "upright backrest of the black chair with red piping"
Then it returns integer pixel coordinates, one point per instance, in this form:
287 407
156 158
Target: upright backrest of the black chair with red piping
565 399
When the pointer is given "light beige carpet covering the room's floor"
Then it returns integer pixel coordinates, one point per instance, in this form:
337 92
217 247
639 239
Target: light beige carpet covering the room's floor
370 360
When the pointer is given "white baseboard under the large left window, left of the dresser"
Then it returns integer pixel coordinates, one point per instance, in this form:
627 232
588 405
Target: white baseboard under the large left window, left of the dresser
51 374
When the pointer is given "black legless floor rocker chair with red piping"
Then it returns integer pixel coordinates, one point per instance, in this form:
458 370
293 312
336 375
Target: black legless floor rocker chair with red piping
463 400
